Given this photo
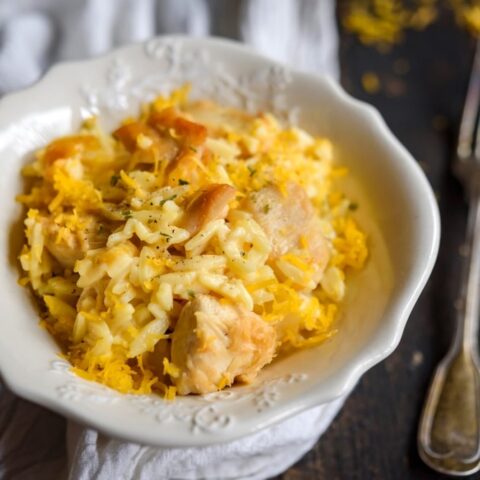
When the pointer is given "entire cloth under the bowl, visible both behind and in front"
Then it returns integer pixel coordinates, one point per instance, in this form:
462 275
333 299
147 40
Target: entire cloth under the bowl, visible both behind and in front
36 33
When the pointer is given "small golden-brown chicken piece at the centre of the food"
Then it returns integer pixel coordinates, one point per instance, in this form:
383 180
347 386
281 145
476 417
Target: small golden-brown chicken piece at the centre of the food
209 203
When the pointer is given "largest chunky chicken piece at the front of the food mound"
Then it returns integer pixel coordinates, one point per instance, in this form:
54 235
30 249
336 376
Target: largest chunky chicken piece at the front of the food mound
215 344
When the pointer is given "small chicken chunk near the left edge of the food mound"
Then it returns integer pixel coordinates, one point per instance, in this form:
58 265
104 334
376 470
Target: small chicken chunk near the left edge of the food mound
67 245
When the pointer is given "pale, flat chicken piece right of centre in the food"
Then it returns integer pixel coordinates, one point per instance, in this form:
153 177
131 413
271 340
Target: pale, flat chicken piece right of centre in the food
290 222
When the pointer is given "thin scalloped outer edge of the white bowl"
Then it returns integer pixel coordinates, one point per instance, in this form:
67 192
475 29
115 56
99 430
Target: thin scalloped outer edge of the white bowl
348 376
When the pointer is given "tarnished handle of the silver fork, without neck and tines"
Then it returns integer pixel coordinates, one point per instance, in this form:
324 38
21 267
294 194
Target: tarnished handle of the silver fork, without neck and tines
449 435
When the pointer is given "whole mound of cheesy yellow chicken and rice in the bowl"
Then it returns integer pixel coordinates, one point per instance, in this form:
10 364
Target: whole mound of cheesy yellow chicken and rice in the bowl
183 252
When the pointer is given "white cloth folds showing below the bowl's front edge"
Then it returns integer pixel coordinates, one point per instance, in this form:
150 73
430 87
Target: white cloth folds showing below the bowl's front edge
256 457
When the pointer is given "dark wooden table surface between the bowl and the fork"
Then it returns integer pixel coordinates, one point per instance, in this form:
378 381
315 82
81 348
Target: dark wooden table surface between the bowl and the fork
374 436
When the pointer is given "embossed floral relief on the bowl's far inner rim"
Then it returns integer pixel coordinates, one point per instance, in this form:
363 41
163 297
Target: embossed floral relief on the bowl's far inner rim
125 89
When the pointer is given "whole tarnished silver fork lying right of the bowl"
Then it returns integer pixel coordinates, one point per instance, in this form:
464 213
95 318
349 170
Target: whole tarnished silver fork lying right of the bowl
449 432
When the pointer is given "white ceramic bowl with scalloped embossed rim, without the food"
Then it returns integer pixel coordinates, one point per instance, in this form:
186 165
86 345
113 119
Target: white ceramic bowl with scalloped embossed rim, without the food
397 209
